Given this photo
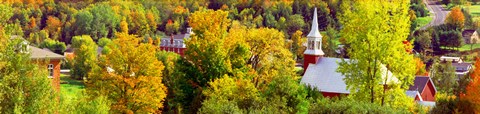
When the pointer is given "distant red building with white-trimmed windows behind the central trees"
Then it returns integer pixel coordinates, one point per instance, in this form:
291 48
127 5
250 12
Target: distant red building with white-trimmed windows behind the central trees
176 43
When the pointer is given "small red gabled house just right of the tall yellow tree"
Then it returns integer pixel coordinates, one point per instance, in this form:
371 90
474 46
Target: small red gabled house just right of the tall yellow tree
423 85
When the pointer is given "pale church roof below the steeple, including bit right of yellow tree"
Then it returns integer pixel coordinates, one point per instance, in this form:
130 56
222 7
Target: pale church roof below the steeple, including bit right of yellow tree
325 78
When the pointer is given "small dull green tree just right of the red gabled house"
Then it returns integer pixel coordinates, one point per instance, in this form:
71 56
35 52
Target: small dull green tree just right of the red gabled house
445 78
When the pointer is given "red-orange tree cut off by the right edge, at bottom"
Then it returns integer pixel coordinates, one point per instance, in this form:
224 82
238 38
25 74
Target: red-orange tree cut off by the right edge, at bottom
473 89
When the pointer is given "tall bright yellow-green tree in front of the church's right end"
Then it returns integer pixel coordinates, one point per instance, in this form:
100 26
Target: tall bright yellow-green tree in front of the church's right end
375 41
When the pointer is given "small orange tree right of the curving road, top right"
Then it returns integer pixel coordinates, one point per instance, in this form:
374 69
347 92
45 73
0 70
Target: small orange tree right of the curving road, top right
456 17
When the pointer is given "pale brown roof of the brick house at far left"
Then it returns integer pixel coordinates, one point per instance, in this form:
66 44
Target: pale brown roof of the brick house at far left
37 53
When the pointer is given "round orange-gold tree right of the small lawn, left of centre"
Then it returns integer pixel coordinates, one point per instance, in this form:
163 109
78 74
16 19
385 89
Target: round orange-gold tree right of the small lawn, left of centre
132 79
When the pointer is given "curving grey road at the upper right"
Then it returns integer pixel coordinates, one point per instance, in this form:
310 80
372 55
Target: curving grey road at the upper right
439 12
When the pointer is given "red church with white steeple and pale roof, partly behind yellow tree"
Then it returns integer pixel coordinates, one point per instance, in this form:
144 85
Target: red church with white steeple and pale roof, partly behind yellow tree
320 72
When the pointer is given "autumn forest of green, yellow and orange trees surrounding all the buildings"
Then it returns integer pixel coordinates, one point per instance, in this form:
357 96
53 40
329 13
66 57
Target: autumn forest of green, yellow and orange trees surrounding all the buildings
241 58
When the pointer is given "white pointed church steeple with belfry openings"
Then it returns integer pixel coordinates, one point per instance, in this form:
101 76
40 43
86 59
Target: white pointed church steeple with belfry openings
314 39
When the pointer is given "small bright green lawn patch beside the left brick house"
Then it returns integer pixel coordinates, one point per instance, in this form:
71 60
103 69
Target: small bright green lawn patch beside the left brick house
72 89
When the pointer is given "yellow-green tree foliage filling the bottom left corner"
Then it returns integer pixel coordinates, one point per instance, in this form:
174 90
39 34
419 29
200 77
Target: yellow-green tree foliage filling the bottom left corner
24 87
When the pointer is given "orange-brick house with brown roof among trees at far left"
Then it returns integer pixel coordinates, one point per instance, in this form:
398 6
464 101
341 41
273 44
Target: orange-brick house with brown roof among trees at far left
53 66
